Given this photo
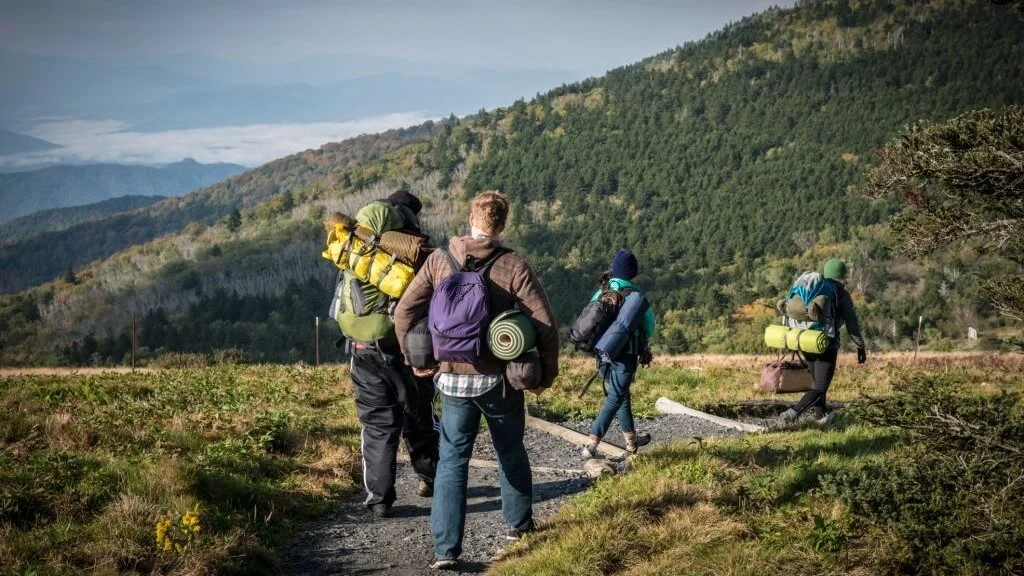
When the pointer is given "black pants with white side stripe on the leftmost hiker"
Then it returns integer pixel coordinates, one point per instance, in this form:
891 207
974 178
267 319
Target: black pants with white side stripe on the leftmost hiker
392 403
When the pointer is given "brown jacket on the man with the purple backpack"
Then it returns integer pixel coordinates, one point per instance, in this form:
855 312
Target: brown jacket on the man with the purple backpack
510 281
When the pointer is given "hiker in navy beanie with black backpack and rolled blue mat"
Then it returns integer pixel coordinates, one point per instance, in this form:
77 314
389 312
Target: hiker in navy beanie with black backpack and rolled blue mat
620 341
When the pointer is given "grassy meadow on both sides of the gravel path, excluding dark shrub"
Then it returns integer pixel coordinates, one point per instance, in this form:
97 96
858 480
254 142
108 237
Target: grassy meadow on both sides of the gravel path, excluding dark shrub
212 470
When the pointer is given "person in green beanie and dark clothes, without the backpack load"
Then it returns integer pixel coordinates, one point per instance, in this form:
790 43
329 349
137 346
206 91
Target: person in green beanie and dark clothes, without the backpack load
838 311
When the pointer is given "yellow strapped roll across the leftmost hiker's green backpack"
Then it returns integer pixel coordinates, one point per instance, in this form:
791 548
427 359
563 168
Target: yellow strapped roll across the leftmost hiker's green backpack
368 263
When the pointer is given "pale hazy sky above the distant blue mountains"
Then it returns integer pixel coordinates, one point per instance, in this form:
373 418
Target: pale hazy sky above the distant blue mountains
584 35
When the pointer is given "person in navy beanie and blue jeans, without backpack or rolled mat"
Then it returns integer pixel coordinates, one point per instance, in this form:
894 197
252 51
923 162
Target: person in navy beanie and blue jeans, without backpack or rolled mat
618 372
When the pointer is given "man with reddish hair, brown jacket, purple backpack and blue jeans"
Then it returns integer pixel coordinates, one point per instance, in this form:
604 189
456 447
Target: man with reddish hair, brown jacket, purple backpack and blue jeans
476 384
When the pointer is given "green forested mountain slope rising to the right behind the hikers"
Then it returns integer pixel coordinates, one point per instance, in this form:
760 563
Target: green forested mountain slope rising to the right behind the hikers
724 164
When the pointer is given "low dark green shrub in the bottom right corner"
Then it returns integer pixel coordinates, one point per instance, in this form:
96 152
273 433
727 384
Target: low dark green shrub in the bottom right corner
953 497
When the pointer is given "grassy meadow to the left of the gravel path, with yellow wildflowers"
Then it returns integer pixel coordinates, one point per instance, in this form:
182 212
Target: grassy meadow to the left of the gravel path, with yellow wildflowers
177 471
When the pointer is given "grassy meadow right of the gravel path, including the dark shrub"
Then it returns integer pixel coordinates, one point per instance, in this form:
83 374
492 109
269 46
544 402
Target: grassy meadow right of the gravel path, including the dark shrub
874 493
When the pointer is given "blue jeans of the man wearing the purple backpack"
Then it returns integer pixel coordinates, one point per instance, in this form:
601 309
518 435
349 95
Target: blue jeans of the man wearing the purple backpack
504 409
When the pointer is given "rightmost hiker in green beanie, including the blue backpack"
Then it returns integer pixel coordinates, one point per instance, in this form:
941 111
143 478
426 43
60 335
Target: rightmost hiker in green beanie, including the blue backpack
827 307
